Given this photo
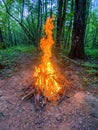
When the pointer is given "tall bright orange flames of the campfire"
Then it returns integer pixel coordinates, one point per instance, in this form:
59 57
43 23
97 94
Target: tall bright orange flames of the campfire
47 79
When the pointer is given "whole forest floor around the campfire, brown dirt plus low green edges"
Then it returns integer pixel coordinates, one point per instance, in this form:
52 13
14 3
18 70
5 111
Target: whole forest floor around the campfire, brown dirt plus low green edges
77 111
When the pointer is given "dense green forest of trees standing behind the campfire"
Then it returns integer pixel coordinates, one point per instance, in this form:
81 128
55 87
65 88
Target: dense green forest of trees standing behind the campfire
76 25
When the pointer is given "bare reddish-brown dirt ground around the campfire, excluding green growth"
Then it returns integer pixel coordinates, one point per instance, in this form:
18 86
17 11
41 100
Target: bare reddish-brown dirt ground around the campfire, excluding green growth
78 111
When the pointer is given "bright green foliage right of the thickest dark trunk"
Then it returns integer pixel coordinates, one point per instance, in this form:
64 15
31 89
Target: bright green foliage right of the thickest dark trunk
91 39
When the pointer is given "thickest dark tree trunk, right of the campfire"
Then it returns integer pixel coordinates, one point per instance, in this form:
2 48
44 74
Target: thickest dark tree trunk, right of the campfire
79 27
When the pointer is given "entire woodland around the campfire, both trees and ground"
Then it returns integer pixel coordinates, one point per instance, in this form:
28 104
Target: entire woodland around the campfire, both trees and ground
75 52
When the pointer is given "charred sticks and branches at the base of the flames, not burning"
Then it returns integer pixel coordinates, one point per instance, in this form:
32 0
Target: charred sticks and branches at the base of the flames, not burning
31 92
